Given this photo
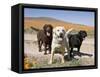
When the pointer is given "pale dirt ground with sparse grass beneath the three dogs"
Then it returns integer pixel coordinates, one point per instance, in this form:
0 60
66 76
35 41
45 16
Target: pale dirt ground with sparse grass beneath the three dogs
31 50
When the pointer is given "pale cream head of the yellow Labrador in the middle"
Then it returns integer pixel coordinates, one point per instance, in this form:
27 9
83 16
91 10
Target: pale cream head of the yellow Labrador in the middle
59 32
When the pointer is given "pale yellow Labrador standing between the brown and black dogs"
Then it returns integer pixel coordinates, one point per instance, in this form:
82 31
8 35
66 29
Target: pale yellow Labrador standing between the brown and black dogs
58 43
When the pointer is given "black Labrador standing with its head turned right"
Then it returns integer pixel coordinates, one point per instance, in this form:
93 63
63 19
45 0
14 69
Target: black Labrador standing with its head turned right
75 41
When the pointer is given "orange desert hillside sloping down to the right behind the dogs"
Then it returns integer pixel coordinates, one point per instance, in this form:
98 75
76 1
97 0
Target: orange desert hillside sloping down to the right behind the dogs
38 23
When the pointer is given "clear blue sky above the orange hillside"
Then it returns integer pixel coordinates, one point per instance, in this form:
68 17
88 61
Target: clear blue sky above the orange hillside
79 17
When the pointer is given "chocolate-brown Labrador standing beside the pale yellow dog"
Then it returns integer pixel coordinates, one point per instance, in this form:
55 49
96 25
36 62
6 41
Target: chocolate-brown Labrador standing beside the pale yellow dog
44 37
